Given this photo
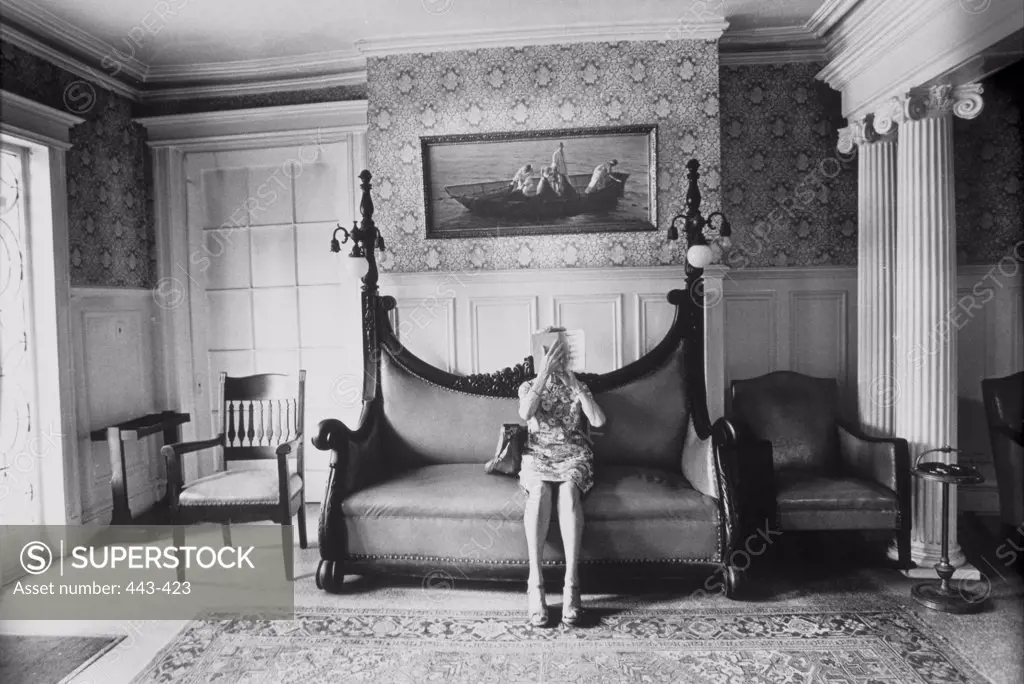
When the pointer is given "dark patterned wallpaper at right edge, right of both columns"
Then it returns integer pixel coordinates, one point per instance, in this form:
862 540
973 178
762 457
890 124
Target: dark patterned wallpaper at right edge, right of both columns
990 169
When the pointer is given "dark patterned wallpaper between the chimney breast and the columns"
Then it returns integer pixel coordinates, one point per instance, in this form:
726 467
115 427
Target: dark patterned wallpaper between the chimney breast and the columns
782 177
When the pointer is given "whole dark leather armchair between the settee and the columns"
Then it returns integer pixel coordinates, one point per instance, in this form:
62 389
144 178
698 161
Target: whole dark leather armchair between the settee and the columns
825 474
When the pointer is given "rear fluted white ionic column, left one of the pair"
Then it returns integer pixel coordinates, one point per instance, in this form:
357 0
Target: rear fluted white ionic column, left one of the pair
876 273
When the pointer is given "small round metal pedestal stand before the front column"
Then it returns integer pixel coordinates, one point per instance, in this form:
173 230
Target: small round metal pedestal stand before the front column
941 595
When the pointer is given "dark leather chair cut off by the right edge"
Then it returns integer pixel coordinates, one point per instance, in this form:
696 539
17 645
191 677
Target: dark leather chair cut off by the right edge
1005 410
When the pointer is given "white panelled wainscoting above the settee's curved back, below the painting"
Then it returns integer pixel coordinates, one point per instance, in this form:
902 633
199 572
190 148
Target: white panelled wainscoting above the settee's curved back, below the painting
481 322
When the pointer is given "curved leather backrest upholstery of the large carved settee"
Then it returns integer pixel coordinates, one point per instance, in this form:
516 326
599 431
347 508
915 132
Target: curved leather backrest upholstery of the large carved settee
647 420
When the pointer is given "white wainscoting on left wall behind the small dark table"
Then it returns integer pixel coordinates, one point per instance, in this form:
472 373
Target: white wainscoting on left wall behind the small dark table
116 370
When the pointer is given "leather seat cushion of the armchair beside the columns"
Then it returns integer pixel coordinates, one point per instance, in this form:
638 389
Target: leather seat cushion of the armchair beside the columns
808 501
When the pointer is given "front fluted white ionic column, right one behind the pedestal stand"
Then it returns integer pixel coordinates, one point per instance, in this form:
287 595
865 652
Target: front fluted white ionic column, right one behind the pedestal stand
925 359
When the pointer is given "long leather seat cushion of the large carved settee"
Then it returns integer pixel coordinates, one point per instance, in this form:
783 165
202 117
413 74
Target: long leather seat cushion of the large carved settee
459 512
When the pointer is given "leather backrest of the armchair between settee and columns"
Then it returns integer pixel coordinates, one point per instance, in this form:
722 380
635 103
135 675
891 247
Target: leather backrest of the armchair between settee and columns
796 413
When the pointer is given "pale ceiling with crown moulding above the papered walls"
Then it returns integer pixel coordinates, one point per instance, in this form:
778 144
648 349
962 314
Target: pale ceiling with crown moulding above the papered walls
178 41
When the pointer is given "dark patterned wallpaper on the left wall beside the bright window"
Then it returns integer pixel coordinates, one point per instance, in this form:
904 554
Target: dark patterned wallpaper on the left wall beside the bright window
109 208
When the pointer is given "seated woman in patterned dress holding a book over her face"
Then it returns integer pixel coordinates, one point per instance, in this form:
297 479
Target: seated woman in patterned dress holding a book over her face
558 456
